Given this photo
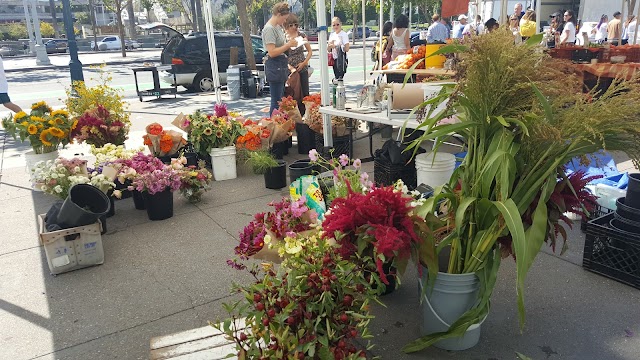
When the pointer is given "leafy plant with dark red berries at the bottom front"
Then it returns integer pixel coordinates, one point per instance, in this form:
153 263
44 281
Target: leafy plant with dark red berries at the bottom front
315 305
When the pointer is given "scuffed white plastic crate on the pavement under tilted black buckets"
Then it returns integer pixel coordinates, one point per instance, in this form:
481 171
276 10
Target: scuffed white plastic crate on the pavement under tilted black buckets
73 248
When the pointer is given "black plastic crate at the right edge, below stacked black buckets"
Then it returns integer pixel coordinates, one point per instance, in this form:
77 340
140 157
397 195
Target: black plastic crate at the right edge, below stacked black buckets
612 253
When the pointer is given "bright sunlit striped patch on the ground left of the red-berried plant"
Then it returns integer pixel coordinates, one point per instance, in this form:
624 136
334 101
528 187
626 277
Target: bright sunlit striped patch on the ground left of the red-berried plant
205 343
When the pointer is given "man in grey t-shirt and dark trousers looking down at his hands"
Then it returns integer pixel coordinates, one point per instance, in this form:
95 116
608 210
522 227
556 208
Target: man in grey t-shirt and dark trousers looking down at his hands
276 65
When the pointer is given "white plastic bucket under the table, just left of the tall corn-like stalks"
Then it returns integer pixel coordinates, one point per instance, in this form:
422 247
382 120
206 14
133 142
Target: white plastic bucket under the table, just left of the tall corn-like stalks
435 170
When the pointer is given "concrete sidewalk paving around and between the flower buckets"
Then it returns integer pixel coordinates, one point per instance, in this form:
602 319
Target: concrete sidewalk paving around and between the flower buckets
168 276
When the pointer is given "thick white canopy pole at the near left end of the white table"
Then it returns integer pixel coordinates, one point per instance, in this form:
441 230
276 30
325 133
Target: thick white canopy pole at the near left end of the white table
321 15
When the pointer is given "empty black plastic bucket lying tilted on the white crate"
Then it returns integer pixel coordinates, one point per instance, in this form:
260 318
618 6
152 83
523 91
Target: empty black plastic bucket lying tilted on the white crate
84 205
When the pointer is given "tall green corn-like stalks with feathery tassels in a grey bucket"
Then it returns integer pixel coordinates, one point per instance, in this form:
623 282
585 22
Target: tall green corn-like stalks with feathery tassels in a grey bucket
524 116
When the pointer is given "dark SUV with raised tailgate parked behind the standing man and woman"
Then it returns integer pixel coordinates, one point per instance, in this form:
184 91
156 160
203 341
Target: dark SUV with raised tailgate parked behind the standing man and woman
189 57
